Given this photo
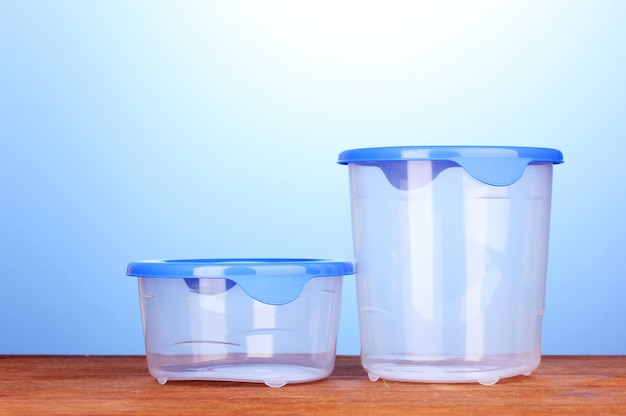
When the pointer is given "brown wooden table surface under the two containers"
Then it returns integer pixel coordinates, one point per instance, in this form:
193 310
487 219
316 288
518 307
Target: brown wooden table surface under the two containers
33 385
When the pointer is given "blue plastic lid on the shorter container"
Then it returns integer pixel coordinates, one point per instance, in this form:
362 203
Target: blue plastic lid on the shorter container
271 281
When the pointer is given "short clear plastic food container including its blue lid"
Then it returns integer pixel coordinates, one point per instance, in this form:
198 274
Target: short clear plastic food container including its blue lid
272 321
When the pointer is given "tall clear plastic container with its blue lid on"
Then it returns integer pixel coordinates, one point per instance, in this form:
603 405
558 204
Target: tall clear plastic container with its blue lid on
451 247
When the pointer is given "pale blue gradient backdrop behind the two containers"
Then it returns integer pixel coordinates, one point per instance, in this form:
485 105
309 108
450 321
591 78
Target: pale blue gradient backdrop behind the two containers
148 129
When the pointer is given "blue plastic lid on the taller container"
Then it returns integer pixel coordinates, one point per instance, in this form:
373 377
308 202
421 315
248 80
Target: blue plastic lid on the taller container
493 165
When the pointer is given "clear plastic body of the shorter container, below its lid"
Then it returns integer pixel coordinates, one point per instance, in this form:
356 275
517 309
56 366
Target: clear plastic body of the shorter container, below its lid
210 329
